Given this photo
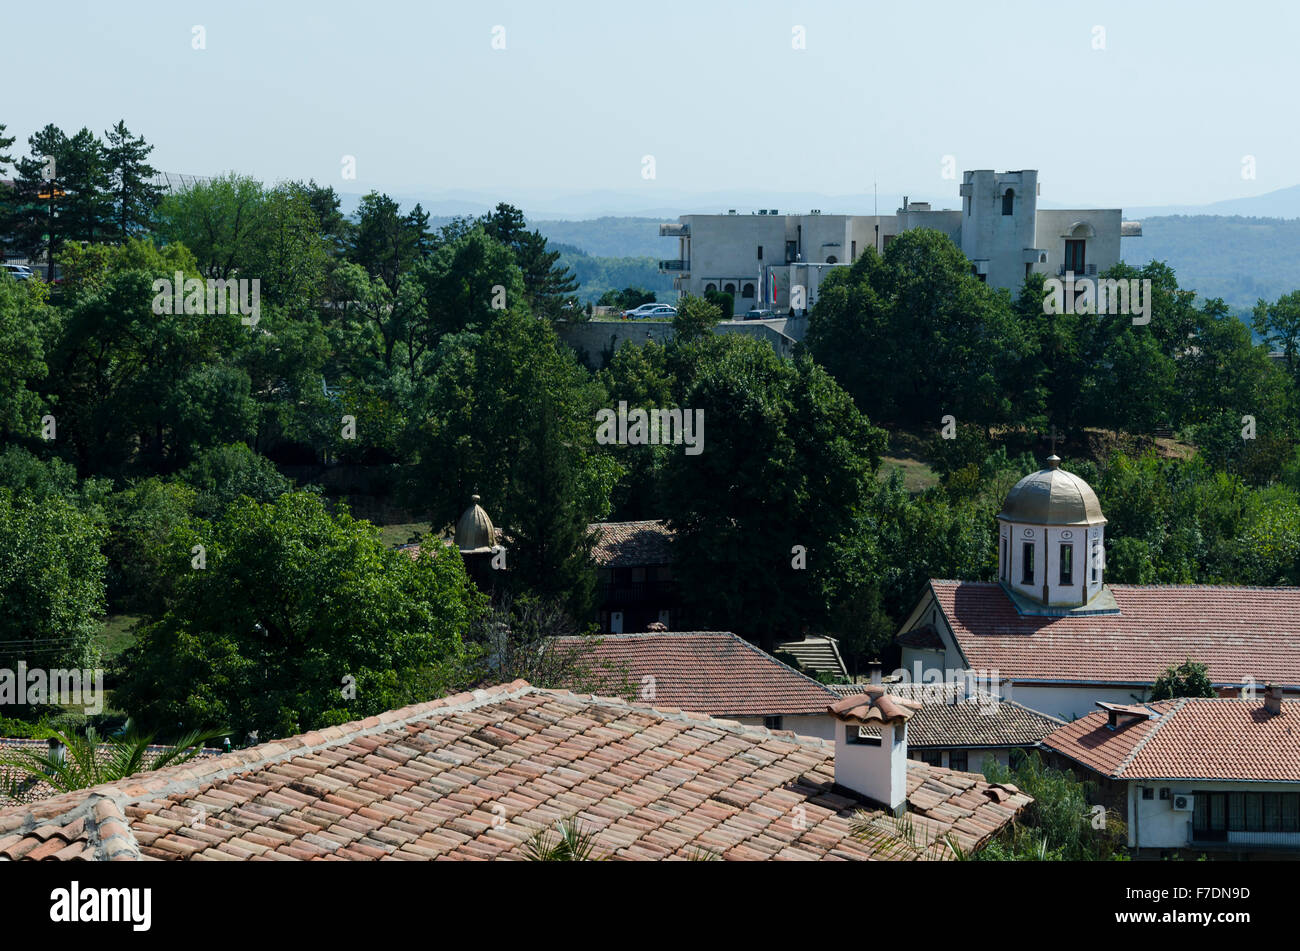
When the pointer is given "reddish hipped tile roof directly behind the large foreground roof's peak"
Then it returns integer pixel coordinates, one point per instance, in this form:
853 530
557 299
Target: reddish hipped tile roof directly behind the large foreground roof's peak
712 672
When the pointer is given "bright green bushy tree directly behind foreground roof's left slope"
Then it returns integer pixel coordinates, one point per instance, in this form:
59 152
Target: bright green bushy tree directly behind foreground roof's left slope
301 619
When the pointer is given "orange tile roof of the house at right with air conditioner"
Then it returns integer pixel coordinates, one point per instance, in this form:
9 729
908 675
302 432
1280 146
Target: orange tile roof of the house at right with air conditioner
1191 739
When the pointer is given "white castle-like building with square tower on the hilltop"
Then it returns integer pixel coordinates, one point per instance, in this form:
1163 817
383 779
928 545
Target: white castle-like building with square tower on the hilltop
760 259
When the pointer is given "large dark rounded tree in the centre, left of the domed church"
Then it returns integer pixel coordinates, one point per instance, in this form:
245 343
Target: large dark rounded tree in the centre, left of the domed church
760 513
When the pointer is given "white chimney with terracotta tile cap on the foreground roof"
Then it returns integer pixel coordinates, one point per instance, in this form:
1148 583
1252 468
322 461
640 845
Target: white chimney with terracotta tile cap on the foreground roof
873 767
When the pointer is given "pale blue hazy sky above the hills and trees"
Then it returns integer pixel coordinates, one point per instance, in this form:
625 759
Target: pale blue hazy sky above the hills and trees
1165 114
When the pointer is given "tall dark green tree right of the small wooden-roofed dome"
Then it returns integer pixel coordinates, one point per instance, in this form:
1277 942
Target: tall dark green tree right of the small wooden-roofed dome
512 415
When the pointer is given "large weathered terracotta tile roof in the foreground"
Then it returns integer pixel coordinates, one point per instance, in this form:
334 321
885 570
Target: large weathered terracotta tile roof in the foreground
474 776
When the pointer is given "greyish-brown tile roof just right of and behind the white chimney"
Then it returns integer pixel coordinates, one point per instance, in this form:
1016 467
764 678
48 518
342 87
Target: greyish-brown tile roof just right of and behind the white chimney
950 719
